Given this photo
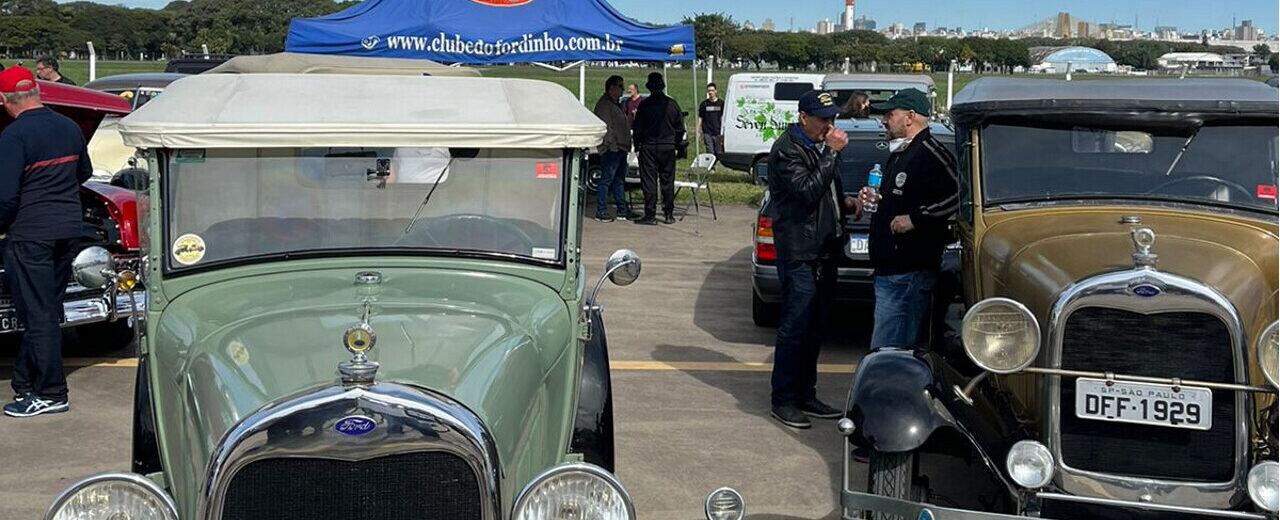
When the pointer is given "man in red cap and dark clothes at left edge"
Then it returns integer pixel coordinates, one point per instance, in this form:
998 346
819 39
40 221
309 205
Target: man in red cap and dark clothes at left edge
43 163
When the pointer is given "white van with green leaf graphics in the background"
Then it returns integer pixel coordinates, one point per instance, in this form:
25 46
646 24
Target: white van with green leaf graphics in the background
758 108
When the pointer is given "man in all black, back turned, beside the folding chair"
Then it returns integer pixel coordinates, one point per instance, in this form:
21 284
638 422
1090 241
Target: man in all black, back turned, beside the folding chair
659 129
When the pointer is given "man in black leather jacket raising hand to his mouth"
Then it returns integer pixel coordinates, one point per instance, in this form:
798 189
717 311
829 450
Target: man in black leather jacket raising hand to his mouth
807 206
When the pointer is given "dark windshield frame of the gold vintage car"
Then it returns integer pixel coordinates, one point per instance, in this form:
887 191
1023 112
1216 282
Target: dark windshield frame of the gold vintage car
1195 126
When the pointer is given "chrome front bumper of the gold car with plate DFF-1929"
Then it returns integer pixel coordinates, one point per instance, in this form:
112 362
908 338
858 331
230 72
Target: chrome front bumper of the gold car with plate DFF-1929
856 503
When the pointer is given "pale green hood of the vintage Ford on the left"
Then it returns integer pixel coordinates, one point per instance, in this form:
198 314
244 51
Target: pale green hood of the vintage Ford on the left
495 344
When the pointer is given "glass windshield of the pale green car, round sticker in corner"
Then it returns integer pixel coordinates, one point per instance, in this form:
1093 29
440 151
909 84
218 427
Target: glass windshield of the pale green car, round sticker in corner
234 206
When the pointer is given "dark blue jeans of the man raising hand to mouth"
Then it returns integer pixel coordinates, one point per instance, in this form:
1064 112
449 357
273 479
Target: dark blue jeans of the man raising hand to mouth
808 289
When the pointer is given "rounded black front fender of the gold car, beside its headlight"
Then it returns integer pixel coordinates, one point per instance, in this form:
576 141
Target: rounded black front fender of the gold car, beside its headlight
893 404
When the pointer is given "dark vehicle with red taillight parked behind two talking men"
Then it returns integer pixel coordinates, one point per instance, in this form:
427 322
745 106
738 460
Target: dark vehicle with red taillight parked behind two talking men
868 145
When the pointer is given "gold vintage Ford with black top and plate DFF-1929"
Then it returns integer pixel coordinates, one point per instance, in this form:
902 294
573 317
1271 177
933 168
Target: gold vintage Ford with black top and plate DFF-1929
1118 354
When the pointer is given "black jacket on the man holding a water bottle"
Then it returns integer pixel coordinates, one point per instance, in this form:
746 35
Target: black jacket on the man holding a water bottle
920 181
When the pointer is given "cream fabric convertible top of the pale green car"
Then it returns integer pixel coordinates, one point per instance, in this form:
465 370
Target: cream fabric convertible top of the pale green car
312 111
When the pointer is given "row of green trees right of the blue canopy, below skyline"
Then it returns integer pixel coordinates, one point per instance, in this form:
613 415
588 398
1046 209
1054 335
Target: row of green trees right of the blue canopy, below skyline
719 35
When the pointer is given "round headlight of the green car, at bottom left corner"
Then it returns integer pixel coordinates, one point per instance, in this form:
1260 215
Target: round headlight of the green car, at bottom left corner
113 496
